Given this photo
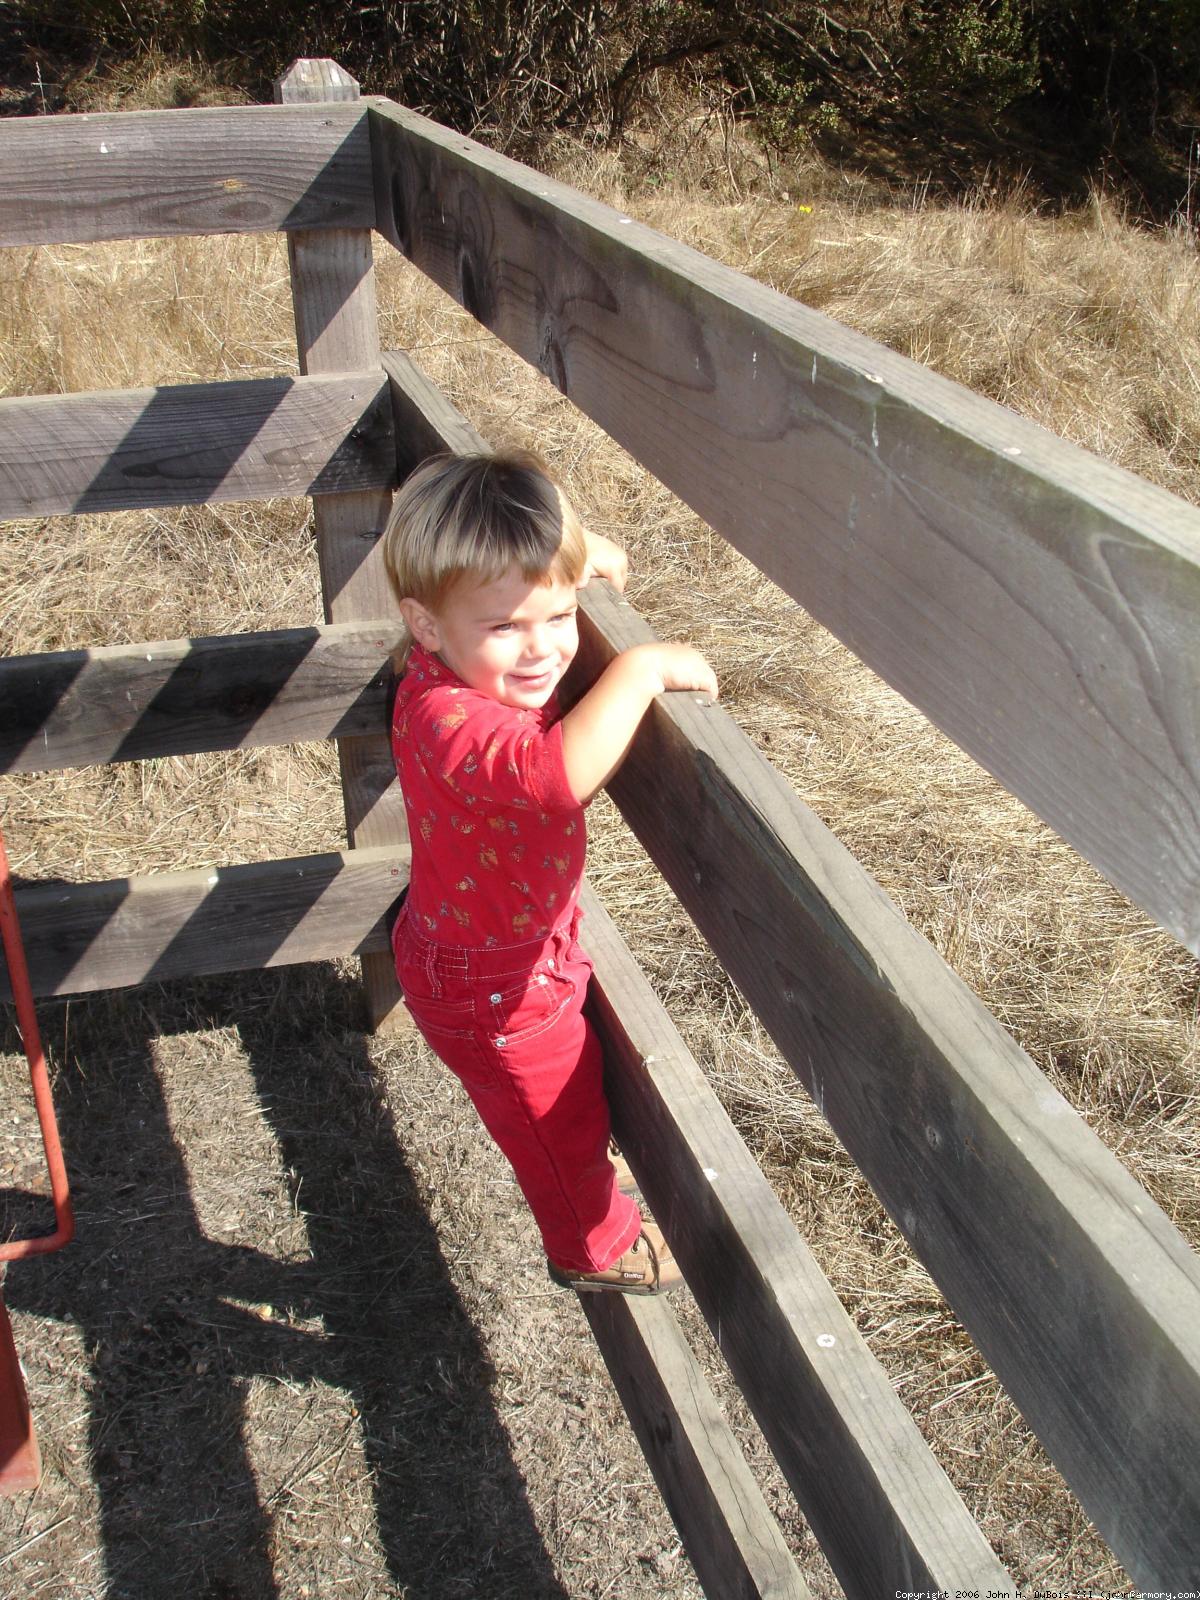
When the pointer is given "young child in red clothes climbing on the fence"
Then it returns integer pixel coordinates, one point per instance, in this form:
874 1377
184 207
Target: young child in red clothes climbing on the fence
486 554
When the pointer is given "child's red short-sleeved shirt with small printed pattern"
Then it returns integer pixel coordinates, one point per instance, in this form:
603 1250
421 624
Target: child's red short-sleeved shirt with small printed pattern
498 838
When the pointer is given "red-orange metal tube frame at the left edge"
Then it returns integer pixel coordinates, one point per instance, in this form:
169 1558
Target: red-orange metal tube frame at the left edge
20 1462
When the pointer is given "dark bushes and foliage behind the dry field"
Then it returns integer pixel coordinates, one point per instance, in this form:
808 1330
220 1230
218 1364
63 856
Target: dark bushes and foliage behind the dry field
1111 71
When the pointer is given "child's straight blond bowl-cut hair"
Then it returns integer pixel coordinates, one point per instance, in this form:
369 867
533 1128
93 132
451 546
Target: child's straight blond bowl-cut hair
474 518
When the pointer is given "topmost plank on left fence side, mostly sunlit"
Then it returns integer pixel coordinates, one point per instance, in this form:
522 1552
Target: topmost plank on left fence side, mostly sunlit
153 174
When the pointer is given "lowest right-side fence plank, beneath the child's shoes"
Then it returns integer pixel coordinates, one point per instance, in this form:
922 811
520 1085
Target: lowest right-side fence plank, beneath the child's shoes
730 1535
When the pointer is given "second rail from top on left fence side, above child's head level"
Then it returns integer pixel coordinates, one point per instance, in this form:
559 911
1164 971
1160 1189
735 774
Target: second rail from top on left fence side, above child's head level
190 444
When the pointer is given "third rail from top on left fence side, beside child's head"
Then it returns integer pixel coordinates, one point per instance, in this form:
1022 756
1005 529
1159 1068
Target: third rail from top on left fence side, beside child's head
130 703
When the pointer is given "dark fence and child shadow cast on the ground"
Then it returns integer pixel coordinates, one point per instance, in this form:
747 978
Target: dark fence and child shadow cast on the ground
175 1324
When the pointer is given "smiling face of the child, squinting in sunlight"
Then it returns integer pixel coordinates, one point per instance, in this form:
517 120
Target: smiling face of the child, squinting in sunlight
510 639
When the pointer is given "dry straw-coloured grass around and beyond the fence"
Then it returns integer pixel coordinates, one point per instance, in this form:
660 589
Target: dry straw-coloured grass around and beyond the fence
1084 324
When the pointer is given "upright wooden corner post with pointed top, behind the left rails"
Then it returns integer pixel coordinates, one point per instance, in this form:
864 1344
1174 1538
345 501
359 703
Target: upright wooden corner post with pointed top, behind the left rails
337 330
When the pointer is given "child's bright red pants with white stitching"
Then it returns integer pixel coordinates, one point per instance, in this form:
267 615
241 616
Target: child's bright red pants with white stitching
510 1025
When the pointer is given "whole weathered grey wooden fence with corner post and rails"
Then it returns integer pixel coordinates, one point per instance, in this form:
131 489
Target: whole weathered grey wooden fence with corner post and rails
1039 606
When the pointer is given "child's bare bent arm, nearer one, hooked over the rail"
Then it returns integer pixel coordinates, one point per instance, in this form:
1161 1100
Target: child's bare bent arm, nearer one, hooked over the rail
599 730
